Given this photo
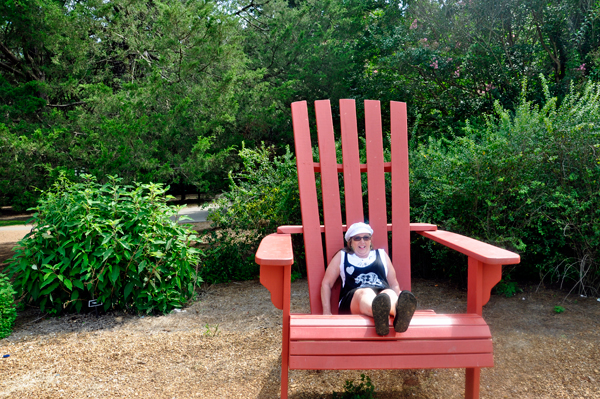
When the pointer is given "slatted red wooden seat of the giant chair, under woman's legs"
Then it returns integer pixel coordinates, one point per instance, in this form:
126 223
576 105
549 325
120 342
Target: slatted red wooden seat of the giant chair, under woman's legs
350 342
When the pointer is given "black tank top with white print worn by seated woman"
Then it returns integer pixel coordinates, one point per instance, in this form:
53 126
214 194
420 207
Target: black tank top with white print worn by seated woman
372 276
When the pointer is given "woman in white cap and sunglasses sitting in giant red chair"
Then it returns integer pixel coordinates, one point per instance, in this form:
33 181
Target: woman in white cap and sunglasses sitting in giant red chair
369 284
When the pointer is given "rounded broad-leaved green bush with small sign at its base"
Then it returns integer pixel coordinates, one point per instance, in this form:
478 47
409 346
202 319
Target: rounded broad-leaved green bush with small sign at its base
112 243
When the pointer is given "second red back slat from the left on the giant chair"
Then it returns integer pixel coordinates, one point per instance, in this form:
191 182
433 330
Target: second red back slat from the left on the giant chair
332 211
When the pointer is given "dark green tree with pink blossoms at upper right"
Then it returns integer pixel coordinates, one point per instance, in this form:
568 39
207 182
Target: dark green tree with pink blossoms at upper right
450 60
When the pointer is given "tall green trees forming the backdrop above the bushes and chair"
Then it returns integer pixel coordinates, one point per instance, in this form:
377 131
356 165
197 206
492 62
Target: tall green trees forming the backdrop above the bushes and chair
163 91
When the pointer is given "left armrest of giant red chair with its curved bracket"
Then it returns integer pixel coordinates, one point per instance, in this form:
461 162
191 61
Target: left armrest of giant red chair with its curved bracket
275 257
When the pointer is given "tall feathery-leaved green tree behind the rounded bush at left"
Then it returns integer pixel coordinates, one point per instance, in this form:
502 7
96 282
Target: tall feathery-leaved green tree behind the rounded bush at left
145 90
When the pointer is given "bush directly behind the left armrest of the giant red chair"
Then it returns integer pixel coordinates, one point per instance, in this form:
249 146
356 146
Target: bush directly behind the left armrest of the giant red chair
262 196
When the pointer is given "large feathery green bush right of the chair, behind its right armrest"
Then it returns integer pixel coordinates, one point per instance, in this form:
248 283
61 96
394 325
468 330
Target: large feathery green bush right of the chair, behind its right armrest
528 182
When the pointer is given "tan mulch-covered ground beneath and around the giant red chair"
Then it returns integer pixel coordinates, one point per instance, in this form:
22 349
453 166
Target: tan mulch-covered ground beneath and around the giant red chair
227 345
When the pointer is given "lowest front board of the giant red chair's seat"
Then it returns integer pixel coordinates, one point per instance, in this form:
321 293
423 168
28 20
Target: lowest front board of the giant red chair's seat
391 362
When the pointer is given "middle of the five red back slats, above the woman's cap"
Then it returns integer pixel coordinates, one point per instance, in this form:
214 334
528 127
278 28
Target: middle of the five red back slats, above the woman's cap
351 165
